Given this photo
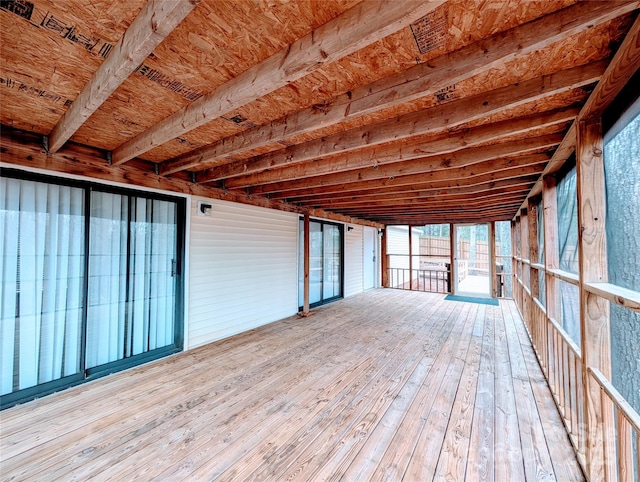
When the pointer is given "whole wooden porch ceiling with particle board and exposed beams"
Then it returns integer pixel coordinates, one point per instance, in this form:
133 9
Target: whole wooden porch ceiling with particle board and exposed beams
398 112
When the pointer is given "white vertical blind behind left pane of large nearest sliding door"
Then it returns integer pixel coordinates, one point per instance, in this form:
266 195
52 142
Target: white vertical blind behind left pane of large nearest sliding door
42 251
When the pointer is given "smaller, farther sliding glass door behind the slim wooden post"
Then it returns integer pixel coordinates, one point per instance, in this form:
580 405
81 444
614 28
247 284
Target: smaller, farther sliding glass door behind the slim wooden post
325 262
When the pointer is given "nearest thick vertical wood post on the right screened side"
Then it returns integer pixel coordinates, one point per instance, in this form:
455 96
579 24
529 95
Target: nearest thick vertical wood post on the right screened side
594 310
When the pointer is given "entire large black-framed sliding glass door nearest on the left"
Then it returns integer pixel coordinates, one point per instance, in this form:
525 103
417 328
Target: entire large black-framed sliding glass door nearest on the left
90 281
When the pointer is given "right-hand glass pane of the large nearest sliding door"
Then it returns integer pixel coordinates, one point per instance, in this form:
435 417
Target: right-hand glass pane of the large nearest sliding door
132 282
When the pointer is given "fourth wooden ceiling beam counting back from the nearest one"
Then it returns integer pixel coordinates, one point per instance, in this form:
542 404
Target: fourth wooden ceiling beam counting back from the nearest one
438 118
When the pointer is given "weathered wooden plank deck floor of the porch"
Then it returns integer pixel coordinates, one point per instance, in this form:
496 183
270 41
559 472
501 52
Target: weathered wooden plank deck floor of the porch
388 385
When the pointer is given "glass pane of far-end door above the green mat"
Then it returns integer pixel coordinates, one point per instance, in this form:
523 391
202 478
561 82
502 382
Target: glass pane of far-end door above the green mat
473 276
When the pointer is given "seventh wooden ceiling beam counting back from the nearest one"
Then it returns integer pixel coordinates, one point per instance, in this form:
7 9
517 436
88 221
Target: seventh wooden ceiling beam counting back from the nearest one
532 165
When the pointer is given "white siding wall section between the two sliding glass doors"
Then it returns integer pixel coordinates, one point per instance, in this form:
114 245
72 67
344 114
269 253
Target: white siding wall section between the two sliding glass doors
243 269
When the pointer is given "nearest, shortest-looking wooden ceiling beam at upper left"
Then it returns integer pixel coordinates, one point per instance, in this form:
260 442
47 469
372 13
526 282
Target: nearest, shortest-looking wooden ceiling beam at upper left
156 20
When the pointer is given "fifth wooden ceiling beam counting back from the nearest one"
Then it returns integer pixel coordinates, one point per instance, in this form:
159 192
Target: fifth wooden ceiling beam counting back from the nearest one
409 150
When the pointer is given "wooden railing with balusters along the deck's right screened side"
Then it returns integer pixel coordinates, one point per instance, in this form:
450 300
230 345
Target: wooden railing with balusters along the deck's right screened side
613 440
